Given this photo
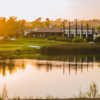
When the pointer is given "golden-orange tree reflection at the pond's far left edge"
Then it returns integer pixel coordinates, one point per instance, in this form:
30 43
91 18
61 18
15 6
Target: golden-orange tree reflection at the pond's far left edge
11 66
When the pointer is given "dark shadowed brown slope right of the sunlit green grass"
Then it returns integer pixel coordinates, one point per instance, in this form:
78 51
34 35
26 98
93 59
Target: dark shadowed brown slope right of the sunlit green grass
71 49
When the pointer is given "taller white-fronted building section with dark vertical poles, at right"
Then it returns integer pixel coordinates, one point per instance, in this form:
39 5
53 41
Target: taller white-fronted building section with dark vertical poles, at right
86 32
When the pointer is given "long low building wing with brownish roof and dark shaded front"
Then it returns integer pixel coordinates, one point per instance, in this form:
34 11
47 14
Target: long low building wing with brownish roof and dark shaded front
43 32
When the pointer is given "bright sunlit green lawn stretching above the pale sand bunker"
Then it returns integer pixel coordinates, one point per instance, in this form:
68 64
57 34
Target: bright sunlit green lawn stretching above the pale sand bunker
22 43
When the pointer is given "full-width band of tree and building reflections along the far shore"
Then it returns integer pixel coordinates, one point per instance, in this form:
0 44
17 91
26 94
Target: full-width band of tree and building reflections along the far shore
69 63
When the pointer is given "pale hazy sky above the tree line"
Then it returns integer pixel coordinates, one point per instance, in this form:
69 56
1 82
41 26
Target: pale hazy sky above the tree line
67 9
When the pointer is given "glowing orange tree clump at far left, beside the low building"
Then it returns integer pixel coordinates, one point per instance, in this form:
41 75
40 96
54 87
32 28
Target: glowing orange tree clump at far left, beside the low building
11 27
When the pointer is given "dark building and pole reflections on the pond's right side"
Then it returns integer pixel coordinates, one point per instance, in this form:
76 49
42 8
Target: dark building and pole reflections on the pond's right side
71 63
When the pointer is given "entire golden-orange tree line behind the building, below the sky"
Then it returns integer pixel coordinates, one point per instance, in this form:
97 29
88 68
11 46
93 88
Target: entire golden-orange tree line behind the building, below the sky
12 27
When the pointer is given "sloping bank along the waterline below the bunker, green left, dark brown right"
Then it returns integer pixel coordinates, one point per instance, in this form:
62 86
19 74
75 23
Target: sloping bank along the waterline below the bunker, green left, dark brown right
51 51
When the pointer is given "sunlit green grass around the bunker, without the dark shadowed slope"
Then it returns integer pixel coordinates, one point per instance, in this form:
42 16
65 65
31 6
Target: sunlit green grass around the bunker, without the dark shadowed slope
20 48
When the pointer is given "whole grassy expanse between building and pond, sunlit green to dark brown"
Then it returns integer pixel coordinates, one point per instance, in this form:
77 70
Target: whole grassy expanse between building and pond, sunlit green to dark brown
20 48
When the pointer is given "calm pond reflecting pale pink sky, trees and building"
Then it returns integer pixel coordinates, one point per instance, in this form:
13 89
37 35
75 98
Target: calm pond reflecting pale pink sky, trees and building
42 78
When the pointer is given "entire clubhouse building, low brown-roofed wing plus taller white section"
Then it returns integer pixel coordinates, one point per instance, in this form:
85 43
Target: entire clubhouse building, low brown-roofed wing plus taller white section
69 31
